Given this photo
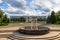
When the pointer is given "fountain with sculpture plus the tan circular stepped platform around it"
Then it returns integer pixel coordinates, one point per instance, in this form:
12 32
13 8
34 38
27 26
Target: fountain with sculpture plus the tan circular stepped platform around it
33 32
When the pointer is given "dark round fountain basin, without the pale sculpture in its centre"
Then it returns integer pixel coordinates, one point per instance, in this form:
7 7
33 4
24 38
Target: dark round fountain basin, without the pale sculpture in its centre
39 31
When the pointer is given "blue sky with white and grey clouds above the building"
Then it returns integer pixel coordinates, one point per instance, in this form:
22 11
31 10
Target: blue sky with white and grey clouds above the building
29 7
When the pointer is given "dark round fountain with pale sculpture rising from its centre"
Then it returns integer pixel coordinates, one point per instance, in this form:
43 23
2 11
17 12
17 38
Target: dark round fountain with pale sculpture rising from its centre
34 29
